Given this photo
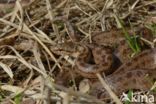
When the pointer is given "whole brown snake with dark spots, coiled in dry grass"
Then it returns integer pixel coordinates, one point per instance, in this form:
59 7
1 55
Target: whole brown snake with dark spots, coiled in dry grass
132 74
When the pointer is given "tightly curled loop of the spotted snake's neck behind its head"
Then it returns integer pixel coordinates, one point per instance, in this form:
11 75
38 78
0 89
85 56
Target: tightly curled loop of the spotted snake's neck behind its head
102 56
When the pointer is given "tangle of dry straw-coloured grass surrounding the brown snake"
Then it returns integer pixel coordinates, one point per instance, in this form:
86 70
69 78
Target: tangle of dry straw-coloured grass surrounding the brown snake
28 65
